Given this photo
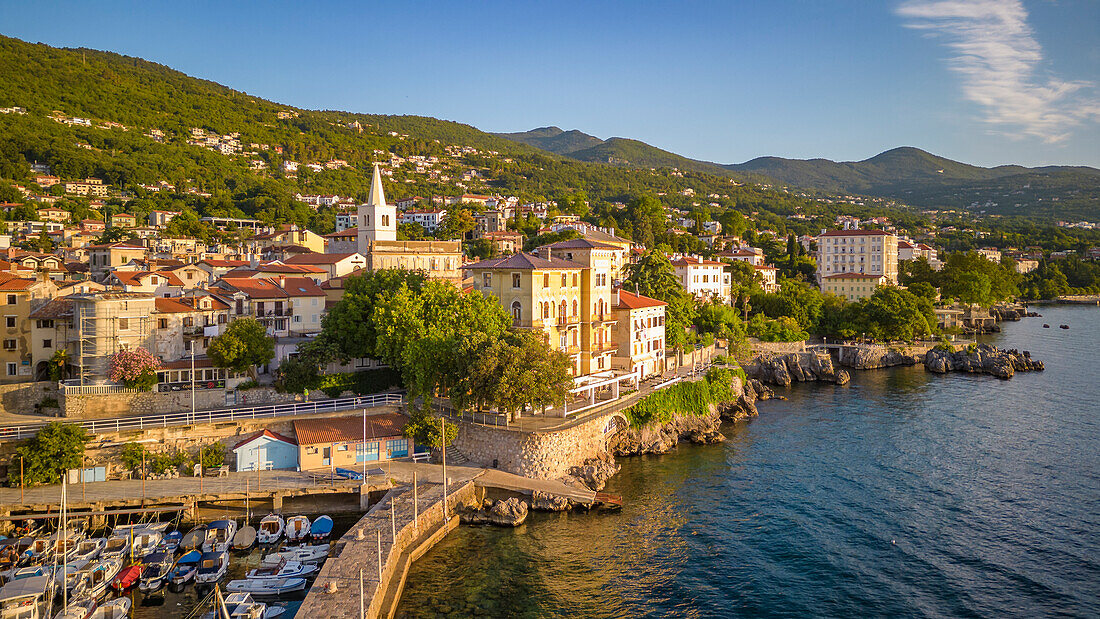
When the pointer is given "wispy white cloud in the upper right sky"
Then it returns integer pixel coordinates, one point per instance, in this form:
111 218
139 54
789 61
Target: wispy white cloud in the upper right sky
999 60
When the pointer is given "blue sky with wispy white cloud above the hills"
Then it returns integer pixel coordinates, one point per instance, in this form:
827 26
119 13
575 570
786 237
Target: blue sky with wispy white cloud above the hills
983 82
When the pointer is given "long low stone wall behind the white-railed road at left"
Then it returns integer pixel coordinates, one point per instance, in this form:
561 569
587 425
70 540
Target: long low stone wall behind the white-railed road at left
82 406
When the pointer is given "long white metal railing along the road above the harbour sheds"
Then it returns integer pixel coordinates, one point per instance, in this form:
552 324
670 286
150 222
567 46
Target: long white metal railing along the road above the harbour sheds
102 426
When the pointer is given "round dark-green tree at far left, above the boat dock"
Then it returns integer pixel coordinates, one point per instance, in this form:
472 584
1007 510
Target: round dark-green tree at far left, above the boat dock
49 455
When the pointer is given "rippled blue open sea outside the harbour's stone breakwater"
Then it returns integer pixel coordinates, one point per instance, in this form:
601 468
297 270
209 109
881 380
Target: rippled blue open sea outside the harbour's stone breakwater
901 495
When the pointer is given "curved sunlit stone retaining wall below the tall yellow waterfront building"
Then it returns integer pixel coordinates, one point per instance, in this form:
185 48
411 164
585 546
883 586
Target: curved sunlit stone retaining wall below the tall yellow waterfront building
542 456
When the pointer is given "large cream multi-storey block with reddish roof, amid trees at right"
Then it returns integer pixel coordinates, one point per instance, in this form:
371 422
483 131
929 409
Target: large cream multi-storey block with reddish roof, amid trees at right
862 252
